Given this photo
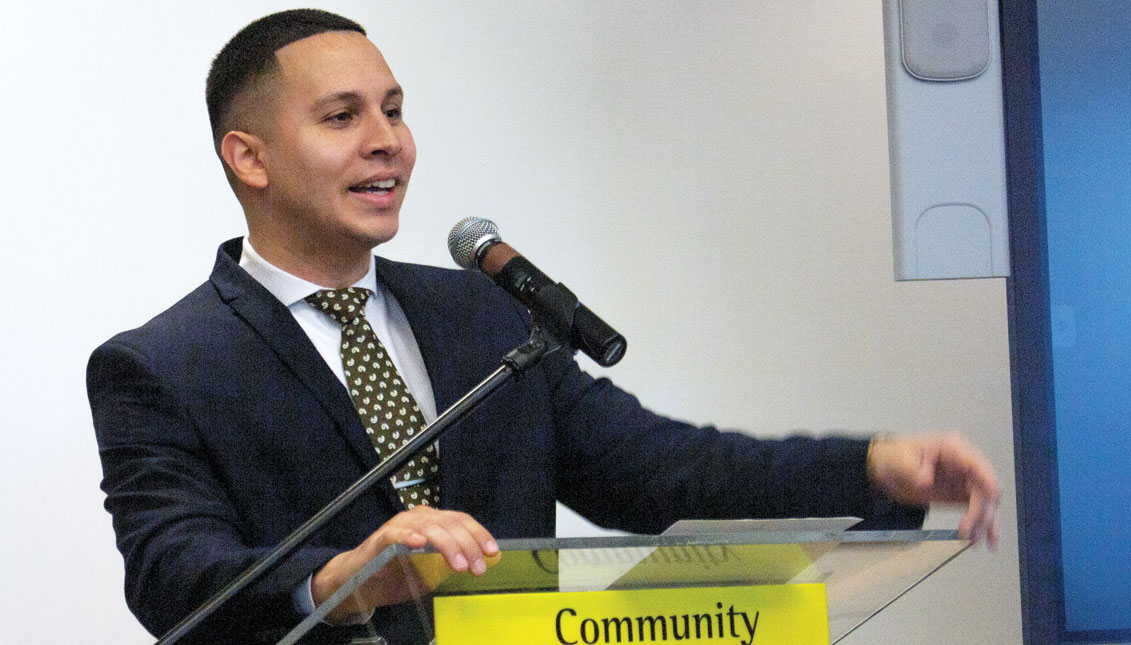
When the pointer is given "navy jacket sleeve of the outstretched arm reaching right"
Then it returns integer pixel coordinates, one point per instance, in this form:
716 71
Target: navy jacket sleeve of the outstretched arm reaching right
627 468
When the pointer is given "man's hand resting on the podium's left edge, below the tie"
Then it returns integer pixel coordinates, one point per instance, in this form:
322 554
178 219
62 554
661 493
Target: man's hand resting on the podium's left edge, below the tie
463 543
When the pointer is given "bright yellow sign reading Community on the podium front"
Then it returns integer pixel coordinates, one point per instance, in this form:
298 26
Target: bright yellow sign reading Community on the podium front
776 615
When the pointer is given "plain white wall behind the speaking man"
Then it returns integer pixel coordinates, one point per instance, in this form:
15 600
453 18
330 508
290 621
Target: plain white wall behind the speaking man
712 178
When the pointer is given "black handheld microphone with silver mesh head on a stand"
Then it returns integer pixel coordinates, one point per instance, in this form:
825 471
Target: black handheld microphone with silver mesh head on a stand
474 244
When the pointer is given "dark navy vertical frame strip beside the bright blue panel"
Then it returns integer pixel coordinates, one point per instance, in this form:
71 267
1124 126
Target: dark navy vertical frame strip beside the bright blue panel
1030 332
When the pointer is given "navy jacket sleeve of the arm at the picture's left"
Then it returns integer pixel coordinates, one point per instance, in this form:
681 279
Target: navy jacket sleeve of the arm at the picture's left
178 532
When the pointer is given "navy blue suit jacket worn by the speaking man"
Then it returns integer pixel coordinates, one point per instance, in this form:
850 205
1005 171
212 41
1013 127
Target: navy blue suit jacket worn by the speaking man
221 429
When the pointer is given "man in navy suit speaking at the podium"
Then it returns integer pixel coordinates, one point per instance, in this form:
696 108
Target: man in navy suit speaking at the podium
230 419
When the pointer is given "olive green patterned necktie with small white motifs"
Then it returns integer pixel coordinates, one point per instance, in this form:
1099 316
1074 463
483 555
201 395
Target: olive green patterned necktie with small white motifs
387 409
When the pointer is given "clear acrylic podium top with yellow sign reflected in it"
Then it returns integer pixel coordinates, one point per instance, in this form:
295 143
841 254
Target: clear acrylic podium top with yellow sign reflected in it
864 571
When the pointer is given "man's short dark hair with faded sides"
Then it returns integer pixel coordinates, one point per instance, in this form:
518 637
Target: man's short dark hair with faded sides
252 54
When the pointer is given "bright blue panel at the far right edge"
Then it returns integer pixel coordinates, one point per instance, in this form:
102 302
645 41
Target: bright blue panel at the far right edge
1086 113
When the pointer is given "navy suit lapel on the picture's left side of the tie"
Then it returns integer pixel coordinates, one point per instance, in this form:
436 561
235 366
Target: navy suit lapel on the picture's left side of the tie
278 328
